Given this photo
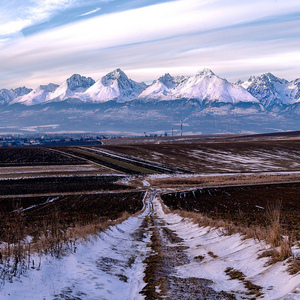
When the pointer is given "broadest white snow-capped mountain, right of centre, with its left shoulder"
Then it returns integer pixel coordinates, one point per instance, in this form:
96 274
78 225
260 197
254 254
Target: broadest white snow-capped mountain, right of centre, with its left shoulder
205 85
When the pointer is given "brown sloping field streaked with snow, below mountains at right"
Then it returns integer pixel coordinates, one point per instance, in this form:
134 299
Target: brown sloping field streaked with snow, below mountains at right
220 157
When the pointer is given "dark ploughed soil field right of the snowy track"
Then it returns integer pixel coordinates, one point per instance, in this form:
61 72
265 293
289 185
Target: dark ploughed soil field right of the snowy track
245 205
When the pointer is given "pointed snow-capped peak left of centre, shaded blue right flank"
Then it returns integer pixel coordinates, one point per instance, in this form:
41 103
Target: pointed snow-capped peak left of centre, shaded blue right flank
114 86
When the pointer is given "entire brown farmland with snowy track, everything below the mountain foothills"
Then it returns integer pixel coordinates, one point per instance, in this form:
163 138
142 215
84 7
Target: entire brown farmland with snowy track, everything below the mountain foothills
145 216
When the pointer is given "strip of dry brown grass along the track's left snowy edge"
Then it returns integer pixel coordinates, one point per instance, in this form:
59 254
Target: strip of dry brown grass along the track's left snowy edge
17 257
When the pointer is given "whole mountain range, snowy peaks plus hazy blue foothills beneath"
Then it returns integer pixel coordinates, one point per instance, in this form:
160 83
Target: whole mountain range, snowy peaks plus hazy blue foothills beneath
205 102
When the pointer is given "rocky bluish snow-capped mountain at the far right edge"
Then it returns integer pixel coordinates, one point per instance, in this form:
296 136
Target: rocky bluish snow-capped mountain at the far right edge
270 90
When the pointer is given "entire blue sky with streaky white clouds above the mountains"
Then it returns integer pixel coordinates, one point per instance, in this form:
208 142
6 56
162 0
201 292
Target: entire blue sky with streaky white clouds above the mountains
44 41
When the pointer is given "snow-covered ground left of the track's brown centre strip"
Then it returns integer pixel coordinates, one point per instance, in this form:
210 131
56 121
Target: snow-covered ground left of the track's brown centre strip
108 266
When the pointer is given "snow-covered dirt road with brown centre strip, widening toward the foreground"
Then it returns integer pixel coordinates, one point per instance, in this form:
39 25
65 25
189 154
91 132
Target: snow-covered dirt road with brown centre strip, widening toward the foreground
157 255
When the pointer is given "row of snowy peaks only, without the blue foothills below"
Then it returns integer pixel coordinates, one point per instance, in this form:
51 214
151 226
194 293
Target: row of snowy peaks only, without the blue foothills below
266 89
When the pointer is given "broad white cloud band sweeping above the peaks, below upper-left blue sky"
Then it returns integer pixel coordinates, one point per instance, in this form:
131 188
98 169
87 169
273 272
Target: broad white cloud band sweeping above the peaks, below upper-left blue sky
178 36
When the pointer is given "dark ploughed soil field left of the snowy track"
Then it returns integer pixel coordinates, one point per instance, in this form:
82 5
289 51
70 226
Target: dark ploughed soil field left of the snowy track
43 213
